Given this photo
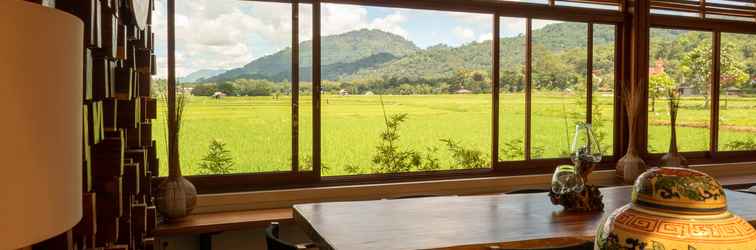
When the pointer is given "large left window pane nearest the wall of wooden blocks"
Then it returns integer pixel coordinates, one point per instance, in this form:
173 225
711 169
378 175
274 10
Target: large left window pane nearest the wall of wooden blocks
233 62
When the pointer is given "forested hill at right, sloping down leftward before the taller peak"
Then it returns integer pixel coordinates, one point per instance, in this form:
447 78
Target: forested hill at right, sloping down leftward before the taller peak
442 62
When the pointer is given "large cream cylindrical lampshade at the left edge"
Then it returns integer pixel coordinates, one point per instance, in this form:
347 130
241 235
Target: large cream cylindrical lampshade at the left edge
41 74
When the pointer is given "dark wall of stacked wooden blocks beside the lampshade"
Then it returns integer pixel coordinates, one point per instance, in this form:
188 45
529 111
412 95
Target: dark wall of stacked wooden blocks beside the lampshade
119 157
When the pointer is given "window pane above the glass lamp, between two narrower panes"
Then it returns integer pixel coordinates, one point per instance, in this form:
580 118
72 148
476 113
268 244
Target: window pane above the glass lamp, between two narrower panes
559 85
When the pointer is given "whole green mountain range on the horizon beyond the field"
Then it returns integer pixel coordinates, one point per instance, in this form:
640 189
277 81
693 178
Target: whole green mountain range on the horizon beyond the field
371 54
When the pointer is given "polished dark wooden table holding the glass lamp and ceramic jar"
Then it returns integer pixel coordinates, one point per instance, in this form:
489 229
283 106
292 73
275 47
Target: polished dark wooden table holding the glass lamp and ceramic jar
435 222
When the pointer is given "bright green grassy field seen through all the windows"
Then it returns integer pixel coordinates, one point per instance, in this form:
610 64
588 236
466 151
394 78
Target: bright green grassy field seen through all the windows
257 130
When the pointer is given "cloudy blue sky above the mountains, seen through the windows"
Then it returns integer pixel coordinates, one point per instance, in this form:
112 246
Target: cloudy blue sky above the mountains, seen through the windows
225 34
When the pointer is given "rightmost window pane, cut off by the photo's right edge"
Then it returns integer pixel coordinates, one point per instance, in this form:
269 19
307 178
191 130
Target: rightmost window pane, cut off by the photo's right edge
737 93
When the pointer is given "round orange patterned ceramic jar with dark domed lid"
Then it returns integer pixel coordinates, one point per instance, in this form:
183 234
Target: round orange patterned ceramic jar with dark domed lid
675 208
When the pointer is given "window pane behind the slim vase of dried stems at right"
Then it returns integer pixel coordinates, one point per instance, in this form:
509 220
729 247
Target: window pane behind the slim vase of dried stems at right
679 61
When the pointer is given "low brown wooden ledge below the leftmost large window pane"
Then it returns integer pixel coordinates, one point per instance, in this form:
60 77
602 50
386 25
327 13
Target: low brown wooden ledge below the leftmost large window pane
224 221
